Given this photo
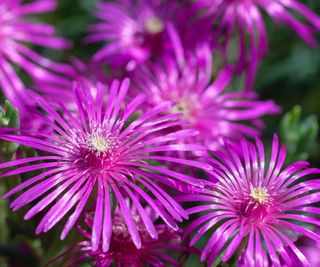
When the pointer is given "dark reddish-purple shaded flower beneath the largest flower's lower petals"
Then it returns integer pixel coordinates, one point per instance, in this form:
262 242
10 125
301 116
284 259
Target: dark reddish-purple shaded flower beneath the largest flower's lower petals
167 249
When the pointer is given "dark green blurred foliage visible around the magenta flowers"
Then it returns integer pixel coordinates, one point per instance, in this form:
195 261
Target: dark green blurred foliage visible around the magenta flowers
290 75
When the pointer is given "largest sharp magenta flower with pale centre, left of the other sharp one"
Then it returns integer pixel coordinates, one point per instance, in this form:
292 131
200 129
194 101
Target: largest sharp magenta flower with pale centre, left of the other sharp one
102 147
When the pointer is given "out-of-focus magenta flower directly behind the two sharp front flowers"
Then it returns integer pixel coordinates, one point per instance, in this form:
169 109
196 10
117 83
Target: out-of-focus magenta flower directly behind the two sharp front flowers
209 107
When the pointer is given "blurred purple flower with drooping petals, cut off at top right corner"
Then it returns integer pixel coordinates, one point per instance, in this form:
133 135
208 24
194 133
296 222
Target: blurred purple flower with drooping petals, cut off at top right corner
245 16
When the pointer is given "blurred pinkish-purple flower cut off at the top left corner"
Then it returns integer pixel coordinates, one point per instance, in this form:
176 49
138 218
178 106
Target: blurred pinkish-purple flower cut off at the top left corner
16 29
